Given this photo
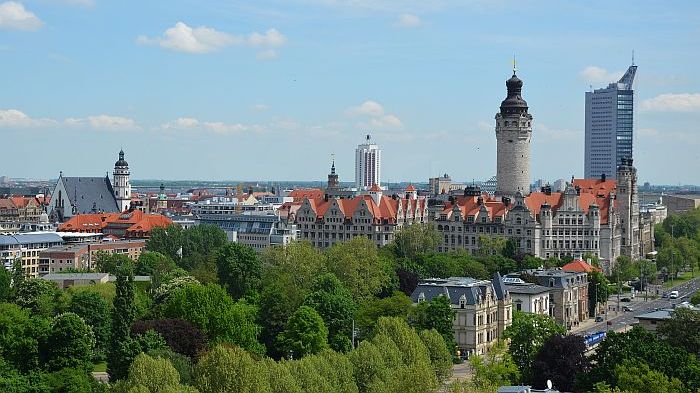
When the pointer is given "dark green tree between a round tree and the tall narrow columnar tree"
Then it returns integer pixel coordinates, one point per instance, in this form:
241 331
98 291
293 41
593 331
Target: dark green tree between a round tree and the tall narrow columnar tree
94 310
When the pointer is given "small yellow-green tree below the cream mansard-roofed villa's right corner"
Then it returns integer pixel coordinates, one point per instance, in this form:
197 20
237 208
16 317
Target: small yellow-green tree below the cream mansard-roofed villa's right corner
495 368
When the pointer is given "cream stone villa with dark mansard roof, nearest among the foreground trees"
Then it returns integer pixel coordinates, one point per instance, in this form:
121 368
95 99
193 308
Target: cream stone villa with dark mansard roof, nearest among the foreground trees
483 309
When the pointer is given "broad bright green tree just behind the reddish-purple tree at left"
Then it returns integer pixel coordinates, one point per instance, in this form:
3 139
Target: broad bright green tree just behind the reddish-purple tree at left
212 310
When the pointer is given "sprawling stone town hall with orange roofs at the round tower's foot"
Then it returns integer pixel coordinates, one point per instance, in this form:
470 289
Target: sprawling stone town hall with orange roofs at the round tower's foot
582 219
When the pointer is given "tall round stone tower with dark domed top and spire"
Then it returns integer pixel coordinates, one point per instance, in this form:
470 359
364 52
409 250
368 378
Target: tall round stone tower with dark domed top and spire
513 132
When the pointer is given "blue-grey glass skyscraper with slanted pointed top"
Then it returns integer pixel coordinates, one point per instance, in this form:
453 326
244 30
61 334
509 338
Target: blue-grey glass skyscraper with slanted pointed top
609 126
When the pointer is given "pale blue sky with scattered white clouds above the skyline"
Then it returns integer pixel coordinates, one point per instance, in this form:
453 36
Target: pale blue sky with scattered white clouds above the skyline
271 90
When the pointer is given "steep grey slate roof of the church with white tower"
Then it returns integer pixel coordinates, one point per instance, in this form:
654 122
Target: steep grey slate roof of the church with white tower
84 191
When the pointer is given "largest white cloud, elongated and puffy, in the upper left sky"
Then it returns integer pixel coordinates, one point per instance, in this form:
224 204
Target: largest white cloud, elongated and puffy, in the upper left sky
184 38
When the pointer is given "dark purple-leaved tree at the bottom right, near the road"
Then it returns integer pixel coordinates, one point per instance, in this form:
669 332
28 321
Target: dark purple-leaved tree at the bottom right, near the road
559 360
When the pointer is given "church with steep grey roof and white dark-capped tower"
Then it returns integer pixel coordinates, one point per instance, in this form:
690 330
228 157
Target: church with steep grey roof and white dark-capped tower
81 195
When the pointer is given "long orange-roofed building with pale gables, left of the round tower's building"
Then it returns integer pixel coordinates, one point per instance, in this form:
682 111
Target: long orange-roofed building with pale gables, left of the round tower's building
325 221
